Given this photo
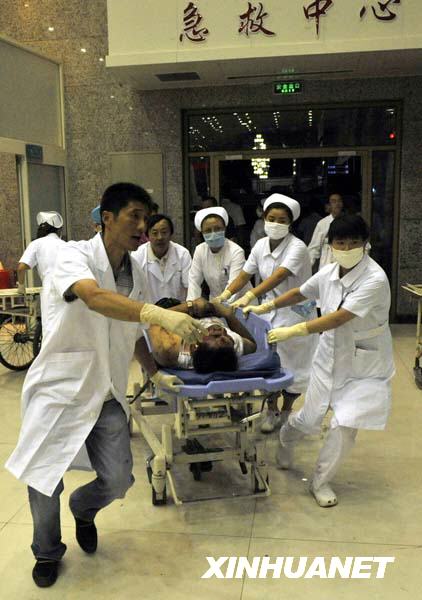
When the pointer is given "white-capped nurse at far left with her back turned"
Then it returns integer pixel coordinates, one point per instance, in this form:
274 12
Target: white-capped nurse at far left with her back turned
42 254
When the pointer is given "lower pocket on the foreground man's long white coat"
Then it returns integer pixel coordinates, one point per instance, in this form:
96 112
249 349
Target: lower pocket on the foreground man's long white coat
67 376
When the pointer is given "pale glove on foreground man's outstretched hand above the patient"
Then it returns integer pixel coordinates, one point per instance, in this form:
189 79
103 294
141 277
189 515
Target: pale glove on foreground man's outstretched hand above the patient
189 329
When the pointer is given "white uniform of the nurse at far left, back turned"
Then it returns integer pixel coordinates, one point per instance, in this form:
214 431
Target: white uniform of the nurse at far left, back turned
42 254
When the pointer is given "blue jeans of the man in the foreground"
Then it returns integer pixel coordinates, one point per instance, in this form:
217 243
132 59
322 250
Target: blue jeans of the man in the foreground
108 446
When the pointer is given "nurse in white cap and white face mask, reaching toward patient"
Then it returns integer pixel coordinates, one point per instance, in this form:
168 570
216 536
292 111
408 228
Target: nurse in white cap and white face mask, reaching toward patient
282 261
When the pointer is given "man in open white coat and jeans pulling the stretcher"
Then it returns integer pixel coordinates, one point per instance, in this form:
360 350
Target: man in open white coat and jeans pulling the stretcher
74 395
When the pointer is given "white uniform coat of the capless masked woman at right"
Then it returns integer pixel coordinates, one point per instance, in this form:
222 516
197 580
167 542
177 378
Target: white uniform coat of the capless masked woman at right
353 364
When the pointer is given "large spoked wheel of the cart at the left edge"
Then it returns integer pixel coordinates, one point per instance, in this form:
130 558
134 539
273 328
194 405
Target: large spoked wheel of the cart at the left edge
17 343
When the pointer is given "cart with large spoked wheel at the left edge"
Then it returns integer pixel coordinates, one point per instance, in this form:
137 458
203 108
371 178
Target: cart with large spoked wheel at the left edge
20 327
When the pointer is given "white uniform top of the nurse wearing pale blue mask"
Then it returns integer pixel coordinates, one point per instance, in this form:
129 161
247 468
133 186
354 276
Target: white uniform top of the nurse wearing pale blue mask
217 269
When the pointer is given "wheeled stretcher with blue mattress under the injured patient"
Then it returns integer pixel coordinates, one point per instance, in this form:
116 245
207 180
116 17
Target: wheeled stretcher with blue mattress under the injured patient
218 405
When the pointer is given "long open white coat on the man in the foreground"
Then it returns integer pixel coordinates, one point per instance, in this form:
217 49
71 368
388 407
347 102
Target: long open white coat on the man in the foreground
84 357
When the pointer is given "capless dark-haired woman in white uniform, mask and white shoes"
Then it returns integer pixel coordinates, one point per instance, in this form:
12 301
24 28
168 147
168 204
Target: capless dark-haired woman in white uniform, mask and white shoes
353 365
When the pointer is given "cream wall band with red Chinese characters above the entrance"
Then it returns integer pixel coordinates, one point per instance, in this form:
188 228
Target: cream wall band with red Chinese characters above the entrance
147 32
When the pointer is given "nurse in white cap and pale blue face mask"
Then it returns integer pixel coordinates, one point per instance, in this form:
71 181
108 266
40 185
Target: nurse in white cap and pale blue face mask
217 261
